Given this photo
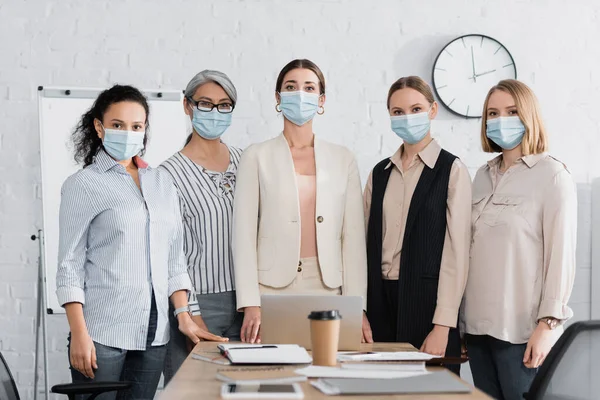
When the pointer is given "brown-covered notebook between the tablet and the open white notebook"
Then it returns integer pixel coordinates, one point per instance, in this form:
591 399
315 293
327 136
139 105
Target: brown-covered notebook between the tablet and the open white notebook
270 375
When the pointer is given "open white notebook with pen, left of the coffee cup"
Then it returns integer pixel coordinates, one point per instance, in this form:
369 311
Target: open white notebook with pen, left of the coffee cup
265 354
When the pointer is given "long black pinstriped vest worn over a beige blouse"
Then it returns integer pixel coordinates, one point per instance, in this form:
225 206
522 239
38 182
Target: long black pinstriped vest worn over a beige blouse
422 248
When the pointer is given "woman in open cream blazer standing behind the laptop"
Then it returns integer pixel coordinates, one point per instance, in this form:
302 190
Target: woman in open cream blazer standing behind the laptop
298 217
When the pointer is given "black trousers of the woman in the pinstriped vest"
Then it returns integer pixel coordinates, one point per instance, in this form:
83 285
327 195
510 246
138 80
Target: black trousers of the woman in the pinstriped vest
390 288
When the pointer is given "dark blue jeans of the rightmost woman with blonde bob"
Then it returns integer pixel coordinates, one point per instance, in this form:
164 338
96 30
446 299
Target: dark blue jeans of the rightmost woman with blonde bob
497 367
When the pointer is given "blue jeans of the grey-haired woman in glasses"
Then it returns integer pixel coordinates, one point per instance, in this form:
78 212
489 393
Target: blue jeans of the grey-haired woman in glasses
219 312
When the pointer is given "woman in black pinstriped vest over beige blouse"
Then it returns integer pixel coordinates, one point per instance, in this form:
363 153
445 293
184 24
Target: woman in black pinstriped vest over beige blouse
417 204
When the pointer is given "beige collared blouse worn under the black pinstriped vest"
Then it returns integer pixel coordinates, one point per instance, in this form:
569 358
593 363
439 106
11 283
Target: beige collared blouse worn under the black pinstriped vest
396 203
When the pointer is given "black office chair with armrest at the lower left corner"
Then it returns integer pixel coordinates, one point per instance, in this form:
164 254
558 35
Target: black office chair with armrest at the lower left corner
8 388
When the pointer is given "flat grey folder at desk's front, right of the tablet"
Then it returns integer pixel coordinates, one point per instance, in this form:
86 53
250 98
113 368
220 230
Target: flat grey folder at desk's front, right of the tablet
434 383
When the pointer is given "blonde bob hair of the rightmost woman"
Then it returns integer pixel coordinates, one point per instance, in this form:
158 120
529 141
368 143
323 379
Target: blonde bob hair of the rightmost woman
535 140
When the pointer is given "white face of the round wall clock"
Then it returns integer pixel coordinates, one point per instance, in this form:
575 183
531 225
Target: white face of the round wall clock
466 69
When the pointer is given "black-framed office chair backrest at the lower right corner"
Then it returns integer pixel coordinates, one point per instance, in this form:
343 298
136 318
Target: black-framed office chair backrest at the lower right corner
571 370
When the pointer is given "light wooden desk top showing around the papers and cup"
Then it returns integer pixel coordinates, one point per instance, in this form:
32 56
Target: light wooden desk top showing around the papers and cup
196 380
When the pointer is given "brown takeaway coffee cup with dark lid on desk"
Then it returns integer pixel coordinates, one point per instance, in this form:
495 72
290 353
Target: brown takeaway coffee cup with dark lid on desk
324 336
